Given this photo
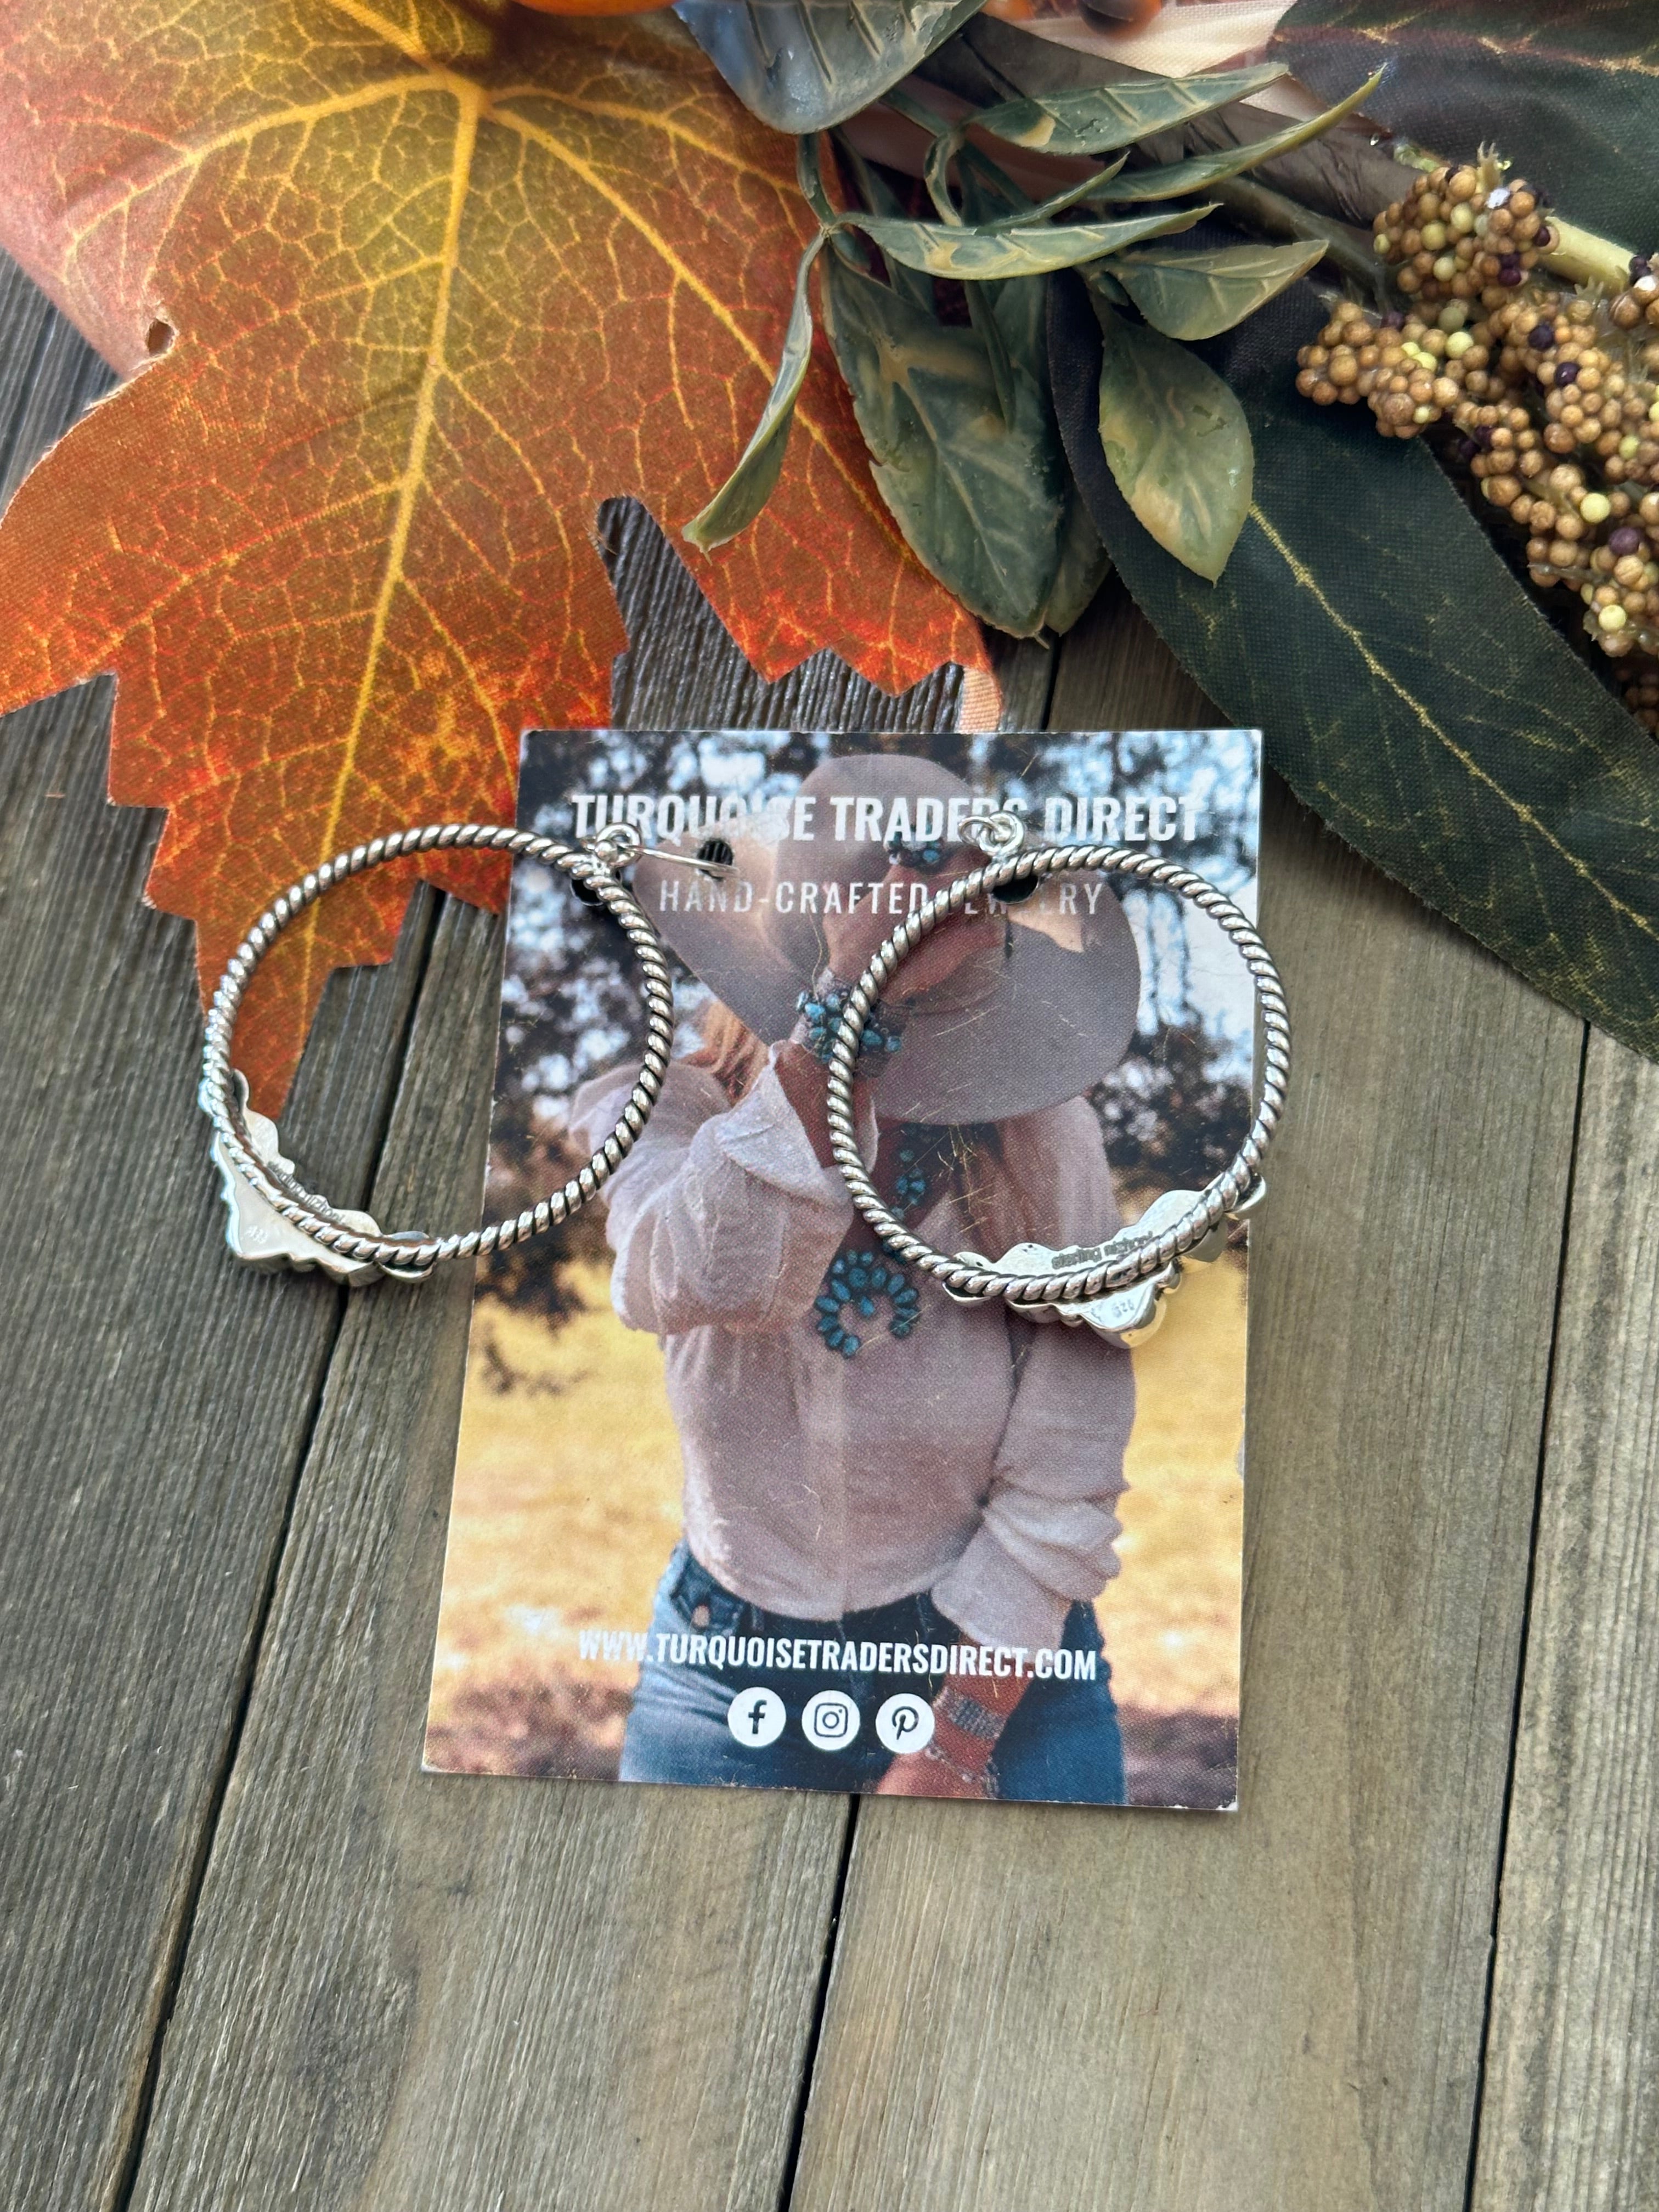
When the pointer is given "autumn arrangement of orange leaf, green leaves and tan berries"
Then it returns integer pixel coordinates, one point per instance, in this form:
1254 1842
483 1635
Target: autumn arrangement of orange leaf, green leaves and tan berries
906 322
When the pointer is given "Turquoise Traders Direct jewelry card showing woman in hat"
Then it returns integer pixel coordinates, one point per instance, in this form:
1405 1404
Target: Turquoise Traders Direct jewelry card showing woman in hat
744 1496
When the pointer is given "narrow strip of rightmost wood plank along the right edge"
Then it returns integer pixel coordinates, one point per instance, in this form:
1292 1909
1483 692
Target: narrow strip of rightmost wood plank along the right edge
1572 2105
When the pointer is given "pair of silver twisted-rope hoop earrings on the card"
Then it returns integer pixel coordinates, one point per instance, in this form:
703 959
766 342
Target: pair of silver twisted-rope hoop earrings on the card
1116 1288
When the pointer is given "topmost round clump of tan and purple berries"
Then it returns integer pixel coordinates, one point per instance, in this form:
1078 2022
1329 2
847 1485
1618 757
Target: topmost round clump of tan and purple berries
1463 236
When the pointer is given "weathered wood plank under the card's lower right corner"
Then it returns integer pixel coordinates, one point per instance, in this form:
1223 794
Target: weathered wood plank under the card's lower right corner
1280 2010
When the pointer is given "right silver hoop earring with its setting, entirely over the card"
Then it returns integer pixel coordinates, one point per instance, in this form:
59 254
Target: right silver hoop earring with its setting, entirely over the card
1116 1288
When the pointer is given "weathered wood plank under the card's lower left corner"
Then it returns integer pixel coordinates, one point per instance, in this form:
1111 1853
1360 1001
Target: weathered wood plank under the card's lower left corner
410 1992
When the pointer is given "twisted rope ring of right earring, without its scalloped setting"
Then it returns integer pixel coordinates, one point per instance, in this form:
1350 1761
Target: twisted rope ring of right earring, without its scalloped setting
1127 1260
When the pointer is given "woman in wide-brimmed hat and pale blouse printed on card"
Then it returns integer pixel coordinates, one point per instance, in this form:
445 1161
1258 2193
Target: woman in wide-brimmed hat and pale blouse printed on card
873 1472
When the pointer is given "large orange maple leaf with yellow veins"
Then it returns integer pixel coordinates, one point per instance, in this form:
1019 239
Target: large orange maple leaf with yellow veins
441 280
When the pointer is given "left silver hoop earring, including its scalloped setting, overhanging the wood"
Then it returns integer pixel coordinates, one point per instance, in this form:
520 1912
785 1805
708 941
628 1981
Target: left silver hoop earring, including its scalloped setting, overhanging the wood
273 1220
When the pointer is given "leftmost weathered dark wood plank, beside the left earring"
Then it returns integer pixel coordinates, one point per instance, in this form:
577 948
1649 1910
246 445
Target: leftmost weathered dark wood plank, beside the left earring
158 1404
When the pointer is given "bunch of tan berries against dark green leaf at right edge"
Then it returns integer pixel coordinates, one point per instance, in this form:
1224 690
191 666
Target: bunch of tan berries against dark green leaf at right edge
1556 399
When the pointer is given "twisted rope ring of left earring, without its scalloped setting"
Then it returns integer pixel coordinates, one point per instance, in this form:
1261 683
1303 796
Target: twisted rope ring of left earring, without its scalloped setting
413 1253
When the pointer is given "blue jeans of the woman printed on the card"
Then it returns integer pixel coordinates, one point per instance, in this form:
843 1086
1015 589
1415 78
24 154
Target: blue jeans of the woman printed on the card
1061 1742
